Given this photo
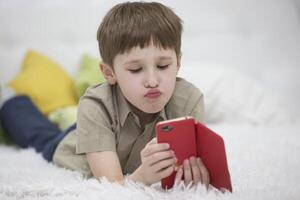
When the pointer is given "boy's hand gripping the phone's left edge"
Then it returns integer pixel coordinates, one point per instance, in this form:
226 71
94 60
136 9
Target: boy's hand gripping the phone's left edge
158 162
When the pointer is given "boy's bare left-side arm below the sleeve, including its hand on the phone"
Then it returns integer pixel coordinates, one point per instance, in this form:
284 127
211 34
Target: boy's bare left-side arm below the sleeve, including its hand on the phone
157 163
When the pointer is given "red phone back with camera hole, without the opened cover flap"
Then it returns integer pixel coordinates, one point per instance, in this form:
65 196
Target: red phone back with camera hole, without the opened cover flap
180 134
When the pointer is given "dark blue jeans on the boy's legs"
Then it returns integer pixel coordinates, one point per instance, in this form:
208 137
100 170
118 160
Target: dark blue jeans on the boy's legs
28 127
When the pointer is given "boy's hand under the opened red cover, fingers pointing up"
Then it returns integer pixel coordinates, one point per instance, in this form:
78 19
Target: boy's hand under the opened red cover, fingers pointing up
193 171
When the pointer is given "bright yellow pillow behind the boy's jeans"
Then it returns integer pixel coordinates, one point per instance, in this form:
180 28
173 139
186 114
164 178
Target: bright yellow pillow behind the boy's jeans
45 82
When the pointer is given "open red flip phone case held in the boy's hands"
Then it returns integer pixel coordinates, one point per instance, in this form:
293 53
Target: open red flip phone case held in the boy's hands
189 138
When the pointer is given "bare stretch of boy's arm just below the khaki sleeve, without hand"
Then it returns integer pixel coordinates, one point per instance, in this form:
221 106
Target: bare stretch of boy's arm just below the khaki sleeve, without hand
105 163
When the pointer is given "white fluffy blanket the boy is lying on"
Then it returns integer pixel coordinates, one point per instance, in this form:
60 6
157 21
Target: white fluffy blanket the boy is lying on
264 164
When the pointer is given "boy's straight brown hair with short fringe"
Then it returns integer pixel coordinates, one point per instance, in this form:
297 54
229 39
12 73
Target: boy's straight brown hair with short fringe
132 24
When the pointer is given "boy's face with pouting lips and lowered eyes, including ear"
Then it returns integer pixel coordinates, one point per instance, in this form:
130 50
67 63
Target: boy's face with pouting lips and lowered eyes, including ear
146 76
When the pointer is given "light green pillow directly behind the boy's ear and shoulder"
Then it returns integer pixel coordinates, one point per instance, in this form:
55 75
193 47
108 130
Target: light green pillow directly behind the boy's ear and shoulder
89 74
